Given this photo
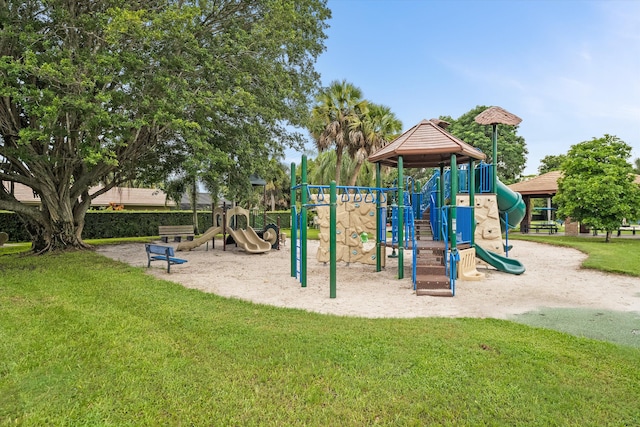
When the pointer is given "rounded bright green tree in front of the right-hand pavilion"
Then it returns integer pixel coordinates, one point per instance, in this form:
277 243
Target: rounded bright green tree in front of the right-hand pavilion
597 187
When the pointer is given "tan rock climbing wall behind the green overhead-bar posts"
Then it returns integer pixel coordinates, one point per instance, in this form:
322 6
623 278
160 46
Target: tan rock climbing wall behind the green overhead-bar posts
355 233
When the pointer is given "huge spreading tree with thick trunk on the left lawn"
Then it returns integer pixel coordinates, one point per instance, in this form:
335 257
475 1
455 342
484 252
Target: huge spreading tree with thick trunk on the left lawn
95 94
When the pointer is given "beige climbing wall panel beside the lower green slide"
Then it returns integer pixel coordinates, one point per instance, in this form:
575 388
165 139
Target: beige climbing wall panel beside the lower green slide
488 232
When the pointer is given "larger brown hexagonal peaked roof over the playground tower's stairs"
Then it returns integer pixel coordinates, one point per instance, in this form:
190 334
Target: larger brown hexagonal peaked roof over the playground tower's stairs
426 144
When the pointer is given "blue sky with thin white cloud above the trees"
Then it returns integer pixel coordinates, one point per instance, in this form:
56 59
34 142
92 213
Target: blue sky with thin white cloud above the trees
570 69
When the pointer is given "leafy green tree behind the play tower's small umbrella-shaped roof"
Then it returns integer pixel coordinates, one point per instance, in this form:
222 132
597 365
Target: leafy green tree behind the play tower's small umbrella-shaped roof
512 148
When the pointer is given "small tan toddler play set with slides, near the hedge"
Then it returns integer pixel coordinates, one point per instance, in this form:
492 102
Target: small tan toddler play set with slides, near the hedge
246 239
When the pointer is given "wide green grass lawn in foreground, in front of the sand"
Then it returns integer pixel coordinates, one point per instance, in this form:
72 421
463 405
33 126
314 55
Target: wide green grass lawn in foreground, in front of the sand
88 340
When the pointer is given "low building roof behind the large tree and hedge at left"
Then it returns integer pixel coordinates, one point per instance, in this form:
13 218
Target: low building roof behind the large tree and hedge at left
131 197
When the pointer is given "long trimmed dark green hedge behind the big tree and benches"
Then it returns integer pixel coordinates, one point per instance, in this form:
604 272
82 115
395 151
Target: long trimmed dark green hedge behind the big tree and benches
112 224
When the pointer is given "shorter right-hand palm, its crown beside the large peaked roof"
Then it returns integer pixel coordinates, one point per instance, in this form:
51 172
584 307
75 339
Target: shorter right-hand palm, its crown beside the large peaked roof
369 132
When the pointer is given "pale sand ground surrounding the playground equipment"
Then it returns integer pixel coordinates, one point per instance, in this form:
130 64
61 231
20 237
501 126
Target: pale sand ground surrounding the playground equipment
553 278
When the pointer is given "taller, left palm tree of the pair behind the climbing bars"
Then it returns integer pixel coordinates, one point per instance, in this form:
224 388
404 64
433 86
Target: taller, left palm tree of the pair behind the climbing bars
336 107
